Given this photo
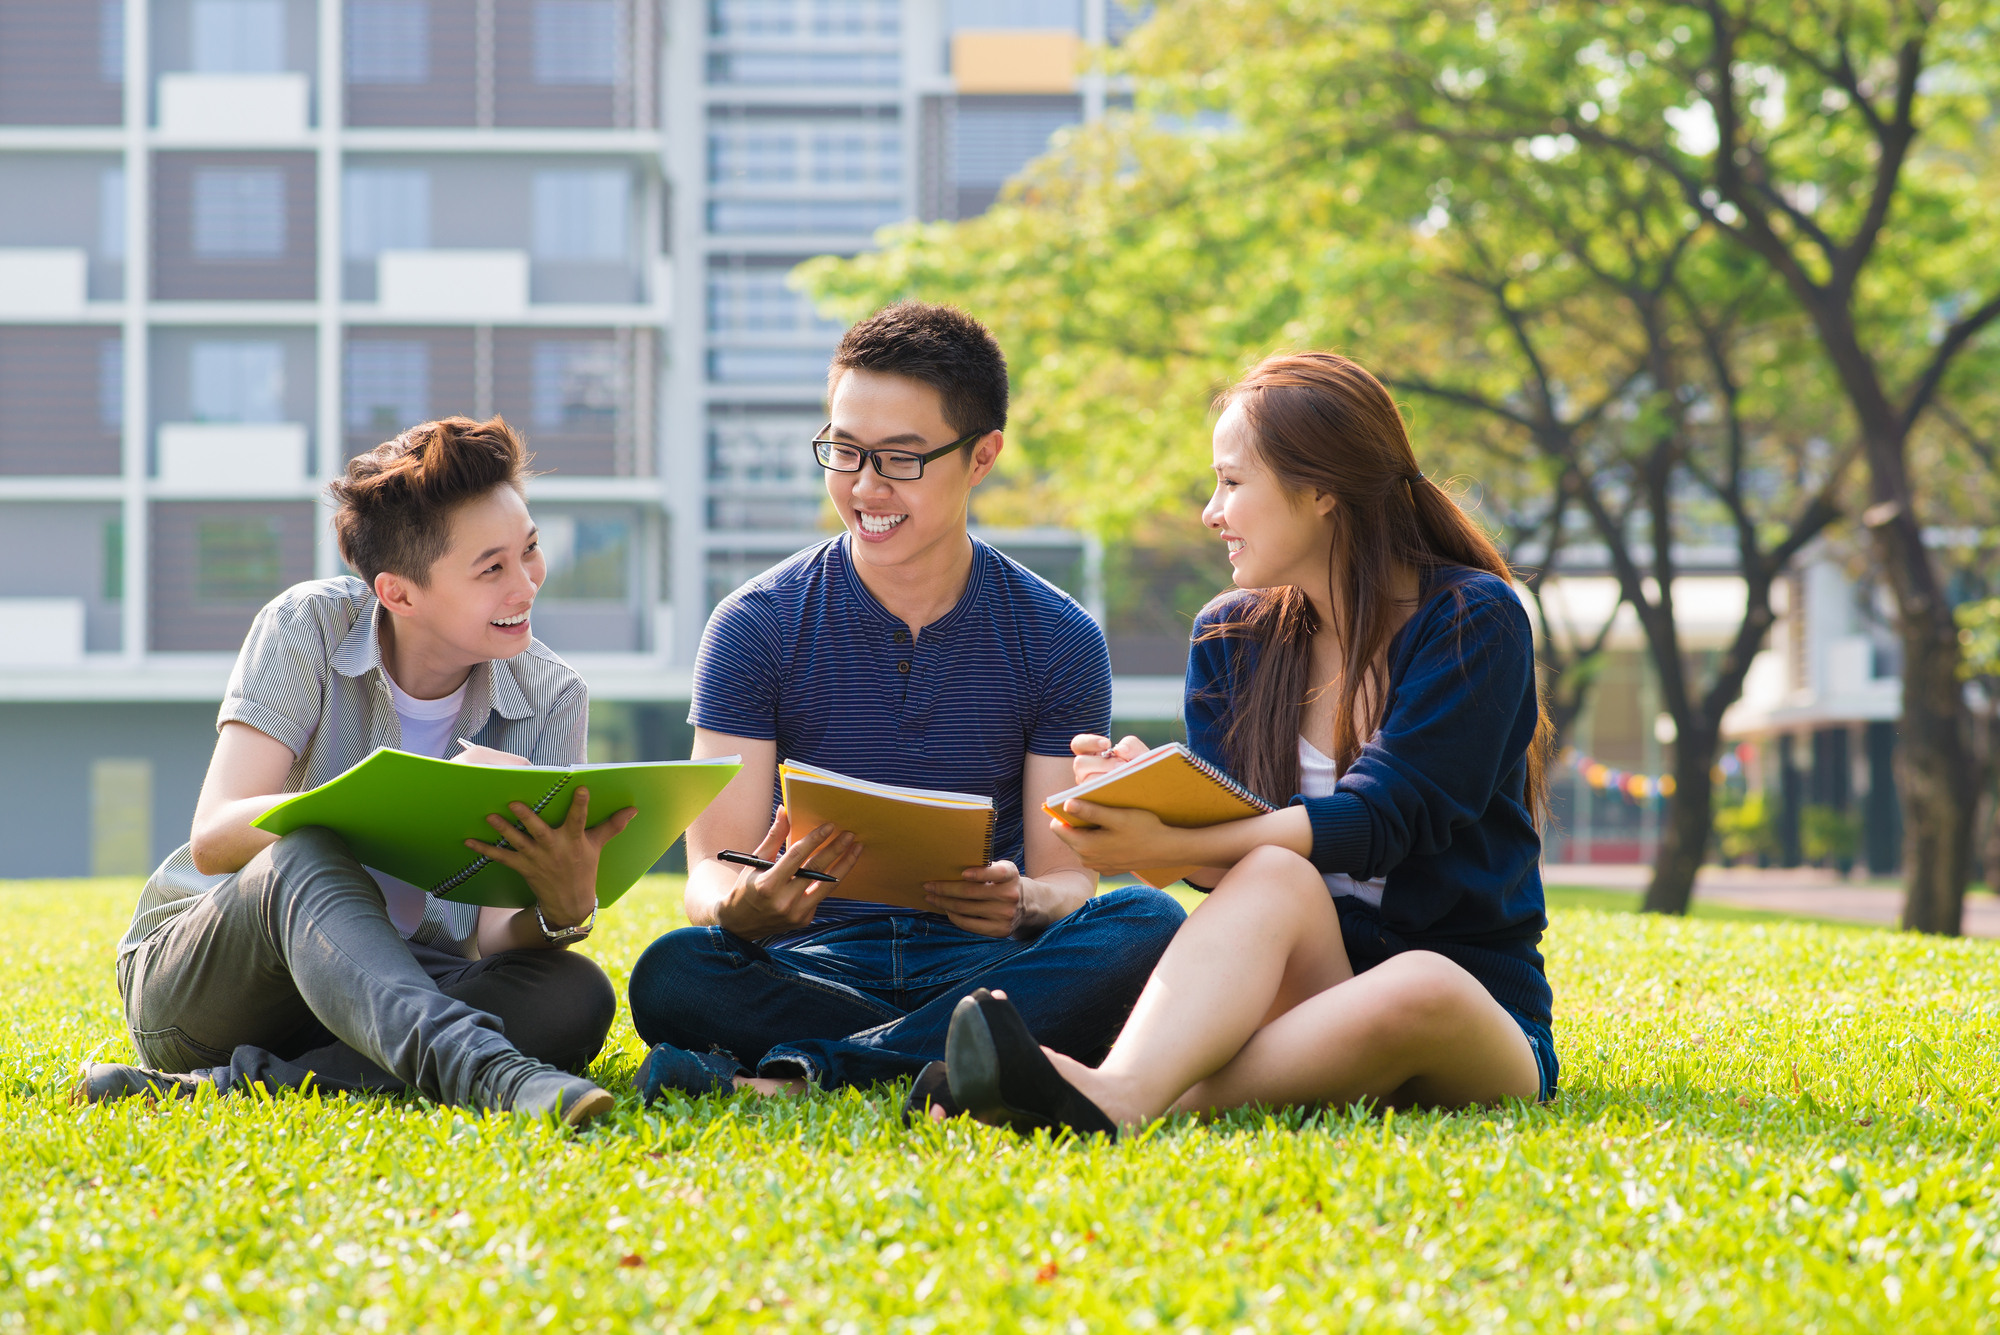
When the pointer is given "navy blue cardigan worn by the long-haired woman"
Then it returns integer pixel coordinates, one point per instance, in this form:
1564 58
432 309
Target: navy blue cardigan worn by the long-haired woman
1437 800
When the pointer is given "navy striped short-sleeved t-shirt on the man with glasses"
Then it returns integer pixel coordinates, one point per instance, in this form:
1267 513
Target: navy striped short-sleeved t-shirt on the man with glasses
805 657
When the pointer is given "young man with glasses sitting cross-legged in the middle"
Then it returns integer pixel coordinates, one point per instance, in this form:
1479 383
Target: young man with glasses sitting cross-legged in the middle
903 653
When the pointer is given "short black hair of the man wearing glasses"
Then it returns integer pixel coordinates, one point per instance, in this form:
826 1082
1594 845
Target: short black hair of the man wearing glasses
939 347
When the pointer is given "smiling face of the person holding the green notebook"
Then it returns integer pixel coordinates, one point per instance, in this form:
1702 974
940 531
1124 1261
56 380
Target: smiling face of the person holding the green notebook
475 607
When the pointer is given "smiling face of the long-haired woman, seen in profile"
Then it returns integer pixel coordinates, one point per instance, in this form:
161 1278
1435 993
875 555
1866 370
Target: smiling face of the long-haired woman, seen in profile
1277 535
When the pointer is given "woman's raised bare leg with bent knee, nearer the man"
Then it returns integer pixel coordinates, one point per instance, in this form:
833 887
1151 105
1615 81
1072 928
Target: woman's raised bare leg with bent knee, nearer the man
1265 942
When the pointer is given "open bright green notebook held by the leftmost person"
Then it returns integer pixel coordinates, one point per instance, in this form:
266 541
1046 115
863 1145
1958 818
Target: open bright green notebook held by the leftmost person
411 816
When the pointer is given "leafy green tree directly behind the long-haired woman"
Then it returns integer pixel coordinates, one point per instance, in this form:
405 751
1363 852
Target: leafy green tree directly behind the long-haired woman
1589 347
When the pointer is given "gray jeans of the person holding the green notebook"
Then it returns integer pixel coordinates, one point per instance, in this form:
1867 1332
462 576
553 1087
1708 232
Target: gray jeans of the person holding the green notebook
295 972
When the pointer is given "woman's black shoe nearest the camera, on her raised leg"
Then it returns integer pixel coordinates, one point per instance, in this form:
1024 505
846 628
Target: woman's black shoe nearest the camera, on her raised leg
981 1080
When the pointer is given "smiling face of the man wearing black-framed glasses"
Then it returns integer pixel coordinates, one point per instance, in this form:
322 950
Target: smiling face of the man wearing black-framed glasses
903 523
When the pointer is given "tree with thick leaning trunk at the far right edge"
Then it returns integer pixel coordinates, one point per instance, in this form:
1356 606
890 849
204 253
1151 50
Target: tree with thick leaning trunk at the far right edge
1839 147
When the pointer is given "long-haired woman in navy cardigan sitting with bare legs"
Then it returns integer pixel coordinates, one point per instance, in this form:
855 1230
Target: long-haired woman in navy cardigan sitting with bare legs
1373 676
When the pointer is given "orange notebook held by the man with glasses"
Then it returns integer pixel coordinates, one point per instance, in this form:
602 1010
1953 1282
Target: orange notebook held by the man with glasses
909 834
